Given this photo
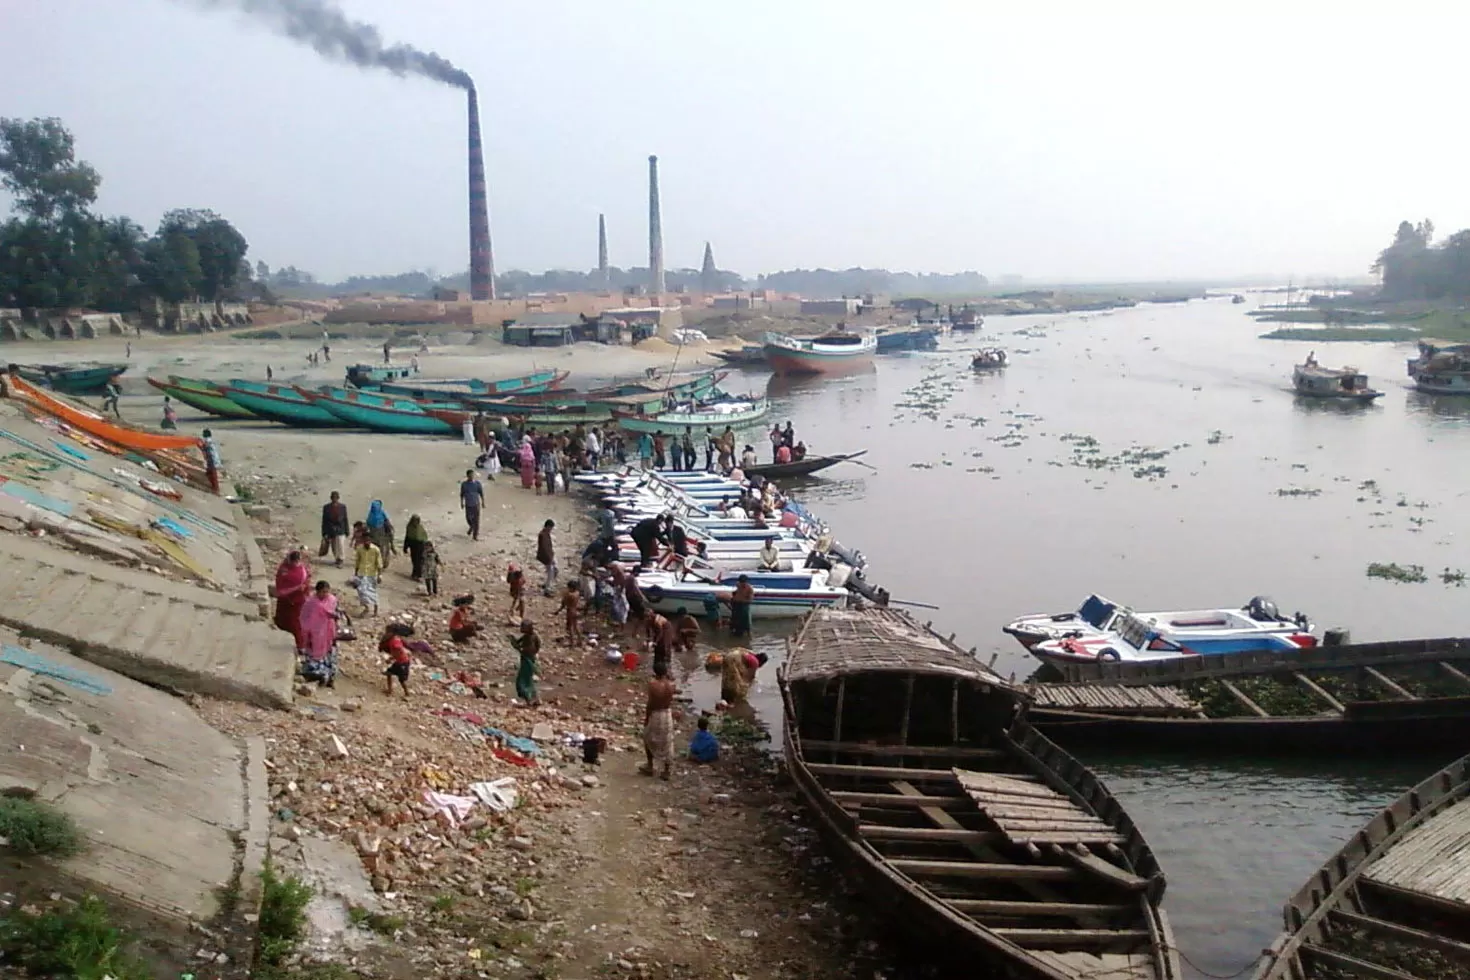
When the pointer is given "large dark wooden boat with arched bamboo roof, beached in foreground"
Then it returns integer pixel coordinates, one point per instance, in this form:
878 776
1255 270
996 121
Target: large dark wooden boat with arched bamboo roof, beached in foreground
992 846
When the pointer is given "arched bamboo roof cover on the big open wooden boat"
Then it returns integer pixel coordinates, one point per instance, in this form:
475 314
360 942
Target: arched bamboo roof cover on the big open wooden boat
833 643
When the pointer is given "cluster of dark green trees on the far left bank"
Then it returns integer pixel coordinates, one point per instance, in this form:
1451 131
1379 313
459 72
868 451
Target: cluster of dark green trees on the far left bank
55 252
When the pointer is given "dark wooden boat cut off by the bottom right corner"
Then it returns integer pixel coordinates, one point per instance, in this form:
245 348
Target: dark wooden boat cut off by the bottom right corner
1394 903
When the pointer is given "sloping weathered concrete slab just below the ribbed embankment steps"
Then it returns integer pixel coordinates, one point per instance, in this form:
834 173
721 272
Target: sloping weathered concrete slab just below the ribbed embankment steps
159 794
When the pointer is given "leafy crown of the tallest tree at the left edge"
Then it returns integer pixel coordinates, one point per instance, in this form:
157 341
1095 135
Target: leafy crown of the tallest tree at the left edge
39 167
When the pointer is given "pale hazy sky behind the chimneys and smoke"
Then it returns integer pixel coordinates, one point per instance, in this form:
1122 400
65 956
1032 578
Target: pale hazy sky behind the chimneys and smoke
1159 142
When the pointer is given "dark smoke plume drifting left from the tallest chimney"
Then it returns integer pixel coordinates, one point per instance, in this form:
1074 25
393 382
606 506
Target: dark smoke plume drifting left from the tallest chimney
333 35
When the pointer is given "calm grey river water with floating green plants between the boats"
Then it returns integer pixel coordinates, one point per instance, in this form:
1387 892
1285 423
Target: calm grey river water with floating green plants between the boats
1156 456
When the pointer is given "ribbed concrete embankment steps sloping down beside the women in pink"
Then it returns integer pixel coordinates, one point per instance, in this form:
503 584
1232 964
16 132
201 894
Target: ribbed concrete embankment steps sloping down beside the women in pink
143 625
